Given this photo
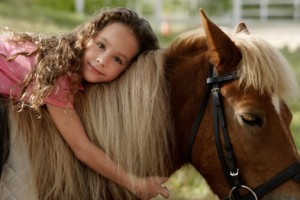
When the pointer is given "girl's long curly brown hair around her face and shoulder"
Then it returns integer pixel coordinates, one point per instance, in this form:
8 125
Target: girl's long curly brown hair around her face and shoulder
62 55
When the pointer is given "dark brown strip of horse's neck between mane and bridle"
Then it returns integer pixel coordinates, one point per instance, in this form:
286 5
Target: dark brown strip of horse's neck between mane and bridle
187 86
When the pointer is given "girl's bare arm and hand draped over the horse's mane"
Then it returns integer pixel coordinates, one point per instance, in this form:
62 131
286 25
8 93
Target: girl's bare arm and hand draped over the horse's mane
71 129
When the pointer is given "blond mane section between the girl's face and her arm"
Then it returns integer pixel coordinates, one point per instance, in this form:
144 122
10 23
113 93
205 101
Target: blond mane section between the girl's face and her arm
134 118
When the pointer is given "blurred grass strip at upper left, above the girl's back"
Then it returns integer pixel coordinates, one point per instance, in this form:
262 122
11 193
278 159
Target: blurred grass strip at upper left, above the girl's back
28 17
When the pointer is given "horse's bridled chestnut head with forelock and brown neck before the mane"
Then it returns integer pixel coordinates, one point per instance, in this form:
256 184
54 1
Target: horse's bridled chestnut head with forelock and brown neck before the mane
246 112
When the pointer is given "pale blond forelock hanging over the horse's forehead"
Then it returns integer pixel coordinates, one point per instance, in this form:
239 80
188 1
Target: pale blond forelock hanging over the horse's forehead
263 67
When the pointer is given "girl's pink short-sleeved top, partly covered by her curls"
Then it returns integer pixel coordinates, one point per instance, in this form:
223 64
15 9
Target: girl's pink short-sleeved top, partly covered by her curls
12 73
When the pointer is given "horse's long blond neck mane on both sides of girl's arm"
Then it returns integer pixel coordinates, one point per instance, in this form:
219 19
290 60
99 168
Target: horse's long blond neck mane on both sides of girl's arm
128 118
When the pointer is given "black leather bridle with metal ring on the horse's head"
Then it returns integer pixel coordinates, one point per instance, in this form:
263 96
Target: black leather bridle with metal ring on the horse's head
227 159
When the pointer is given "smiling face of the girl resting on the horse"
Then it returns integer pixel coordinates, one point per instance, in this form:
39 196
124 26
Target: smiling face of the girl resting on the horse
108 53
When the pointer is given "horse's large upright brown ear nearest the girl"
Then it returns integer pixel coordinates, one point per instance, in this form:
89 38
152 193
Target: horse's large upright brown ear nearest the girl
222 51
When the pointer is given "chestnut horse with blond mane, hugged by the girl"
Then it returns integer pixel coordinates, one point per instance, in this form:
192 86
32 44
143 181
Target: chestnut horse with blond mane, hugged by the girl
214 98
